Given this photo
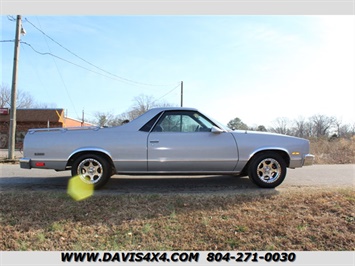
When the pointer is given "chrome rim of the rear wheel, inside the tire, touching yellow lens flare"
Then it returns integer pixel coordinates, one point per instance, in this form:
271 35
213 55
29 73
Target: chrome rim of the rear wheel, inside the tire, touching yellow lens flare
90 170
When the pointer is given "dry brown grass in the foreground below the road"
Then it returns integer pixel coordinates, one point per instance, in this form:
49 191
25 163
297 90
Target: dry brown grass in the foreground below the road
302 219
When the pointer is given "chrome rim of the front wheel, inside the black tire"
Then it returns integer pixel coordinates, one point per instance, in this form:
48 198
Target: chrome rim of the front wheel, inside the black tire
268 170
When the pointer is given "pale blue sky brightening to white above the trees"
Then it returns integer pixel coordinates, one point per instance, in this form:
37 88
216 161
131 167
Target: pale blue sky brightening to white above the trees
257 68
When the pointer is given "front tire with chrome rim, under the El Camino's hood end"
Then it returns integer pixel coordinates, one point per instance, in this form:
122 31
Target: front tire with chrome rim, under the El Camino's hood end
267 170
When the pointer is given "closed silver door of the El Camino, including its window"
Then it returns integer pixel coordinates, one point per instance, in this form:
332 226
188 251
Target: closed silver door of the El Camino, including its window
182 141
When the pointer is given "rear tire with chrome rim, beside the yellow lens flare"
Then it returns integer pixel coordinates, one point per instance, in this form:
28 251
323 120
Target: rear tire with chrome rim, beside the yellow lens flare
92 169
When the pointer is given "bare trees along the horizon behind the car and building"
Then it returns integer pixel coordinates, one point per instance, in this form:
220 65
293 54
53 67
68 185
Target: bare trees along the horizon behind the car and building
315 126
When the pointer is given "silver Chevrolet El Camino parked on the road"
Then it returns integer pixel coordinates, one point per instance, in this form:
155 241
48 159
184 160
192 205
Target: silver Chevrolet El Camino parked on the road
165 141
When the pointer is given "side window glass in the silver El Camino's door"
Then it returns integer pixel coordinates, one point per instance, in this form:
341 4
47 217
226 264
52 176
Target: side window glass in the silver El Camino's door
183 122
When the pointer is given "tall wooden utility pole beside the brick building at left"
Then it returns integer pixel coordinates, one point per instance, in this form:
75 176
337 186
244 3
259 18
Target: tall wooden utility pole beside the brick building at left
12 130
